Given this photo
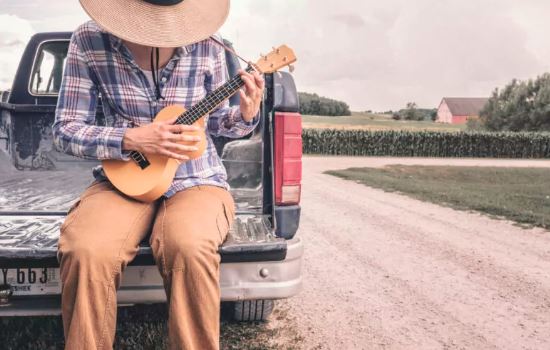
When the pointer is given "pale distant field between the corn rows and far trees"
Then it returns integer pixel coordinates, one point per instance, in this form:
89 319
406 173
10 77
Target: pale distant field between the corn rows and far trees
365 121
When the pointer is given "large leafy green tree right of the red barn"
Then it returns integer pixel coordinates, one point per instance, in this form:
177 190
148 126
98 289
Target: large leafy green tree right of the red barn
519 106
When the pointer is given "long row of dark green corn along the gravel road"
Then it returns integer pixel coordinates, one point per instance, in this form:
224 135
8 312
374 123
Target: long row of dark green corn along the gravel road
426 143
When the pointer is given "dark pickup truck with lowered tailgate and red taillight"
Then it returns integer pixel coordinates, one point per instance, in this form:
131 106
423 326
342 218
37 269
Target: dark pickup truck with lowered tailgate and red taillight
262 256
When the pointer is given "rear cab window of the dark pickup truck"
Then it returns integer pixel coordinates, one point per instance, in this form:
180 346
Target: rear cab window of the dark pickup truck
48 68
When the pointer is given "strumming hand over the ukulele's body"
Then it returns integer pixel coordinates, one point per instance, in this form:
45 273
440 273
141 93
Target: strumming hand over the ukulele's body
161 138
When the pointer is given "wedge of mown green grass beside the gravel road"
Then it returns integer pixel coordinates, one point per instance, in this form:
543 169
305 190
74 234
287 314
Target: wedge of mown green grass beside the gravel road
518 194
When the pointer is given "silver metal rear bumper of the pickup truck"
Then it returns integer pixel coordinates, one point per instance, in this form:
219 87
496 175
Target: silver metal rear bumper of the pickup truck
143 284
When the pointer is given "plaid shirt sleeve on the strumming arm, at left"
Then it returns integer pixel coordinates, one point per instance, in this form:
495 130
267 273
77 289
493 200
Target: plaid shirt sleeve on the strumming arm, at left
74 129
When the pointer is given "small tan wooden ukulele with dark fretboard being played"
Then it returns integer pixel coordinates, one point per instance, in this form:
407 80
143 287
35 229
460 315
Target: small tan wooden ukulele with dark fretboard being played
146 177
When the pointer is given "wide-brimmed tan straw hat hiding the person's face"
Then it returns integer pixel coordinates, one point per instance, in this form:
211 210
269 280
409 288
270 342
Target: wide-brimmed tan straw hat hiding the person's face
159 23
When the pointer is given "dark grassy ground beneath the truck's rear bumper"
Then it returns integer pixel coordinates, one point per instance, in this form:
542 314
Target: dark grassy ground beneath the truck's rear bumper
144 327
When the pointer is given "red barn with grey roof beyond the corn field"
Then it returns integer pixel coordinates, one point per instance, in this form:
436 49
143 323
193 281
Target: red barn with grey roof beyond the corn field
459 110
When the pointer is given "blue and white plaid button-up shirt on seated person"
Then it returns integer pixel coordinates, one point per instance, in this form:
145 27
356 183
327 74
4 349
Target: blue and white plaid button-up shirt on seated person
99 63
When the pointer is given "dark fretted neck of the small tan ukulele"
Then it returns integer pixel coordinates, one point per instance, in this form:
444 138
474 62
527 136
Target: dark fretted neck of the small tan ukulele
212 100
